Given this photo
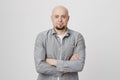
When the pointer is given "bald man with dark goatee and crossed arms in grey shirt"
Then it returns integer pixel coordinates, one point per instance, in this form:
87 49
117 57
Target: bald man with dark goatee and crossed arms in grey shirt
59 52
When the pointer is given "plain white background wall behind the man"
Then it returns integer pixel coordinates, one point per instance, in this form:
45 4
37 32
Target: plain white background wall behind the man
97 20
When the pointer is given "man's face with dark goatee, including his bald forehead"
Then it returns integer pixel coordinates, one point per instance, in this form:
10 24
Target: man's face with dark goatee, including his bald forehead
60 18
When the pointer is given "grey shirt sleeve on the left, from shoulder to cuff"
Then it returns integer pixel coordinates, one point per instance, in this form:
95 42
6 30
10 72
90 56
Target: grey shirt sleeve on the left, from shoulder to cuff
40 56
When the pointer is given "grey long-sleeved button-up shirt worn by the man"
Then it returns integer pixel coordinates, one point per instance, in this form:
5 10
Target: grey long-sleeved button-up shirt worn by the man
48 45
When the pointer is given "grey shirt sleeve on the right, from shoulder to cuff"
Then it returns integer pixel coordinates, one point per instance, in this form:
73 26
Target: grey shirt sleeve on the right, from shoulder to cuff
74 65
